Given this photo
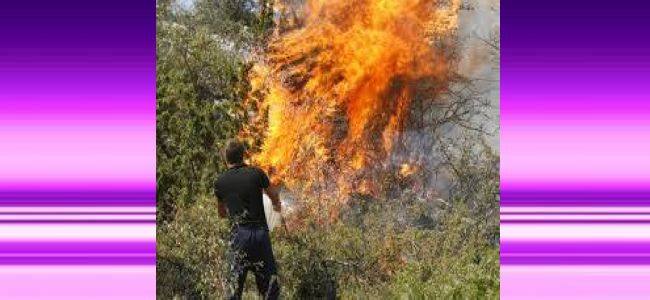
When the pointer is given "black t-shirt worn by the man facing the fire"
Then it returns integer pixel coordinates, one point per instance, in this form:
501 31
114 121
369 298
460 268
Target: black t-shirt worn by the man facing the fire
240 188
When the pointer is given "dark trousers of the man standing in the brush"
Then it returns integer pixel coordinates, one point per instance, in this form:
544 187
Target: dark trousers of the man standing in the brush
251 251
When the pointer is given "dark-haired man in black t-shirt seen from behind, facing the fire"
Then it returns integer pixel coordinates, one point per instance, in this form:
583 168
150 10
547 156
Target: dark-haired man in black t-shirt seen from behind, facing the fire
239 194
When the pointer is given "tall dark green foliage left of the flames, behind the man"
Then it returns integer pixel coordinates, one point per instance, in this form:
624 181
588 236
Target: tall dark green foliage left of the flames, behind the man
200 79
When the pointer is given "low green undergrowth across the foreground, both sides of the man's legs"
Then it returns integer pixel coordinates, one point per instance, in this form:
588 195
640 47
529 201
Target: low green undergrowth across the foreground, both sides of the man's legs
384 250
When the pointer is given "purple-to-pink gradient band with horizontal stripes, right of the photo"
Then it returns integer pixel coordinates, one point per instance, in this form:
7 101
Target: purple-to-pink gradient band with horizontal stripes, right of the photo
575 144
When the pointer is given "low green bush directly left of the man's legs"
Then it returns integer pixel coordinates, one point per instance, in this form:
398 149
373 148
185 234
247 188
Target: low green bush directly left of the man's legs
190 254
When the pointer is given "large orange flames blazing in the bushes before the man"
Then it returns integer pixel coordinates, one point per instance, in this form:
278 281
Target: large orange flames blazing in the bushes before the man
333 95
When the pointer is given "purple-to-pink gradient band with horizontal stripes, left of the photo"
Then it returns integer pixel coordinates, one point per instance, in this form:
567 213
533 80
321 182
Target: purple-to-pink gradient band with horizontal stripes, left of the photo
77 150
